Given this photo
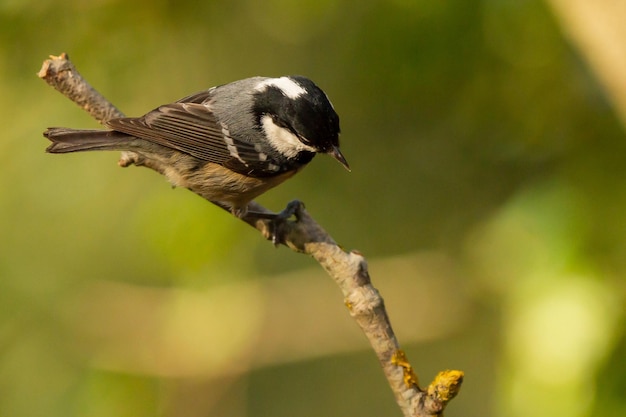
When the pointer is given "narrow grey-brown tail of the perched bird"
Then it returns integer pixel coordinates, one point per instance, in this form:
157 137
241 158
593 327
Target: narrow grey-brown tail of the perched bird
66 140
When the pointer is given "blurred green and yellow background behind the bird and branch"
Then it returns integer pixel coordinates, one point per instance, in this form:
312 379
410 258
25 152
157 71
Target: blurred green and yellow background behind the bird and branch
488 191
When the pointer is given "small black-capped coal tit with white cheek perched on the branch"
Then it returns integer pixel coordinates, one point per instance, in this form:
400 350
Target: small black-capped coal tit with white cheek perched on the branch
229 144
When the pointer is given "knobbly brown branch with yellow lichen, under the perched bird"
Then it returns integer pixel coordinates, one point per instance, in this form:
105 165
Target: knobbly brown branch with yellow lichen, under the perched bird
303 235
